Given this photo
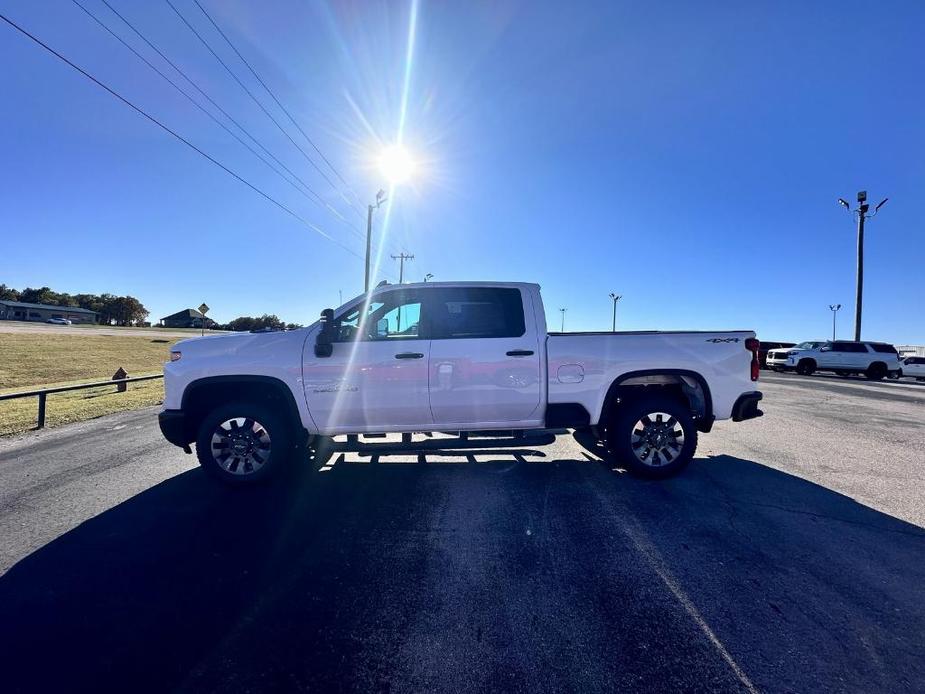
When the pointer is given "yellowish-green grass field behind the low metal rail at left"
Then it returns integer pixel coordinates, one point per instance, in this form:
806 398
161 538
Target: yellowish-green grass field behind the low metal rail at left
35 360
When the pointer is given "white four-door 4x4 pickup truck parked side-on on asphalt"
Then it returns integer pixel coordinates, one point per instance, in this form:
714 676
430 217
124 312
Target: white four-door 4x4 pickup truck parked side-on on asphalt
468 357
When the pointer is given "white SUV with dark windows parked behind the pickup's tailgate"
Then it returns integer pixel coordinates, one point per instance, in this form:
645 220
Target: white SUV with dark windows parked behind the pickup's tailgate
873 359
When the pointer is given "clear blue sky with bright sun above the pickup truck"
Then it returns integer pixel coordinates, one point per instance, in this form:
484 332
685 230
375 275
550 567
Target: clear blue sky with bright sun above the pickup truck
686 155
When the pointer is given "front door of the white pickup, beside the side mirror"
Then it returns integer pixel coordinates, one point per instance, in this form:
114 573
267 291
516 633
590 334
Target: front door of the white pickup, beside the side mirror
376 377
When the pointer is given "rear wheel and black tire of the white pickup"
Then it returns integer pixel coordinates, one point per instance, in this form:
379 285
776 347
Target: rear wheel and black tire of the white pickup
645 448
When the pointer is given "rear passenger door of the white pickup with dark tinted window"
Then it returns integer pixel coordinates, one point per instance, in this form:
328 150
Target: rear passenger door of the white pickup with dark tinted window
485 366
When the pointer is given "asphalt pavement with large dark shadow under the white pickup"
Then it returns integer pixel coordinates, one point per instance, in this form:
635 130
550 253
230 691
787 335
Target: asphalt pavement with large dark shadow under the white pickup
790 556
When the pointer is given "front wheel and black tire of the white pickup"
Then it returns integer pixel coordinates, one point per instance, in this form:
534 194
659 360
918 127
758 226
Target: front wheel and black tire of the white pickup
244 452
